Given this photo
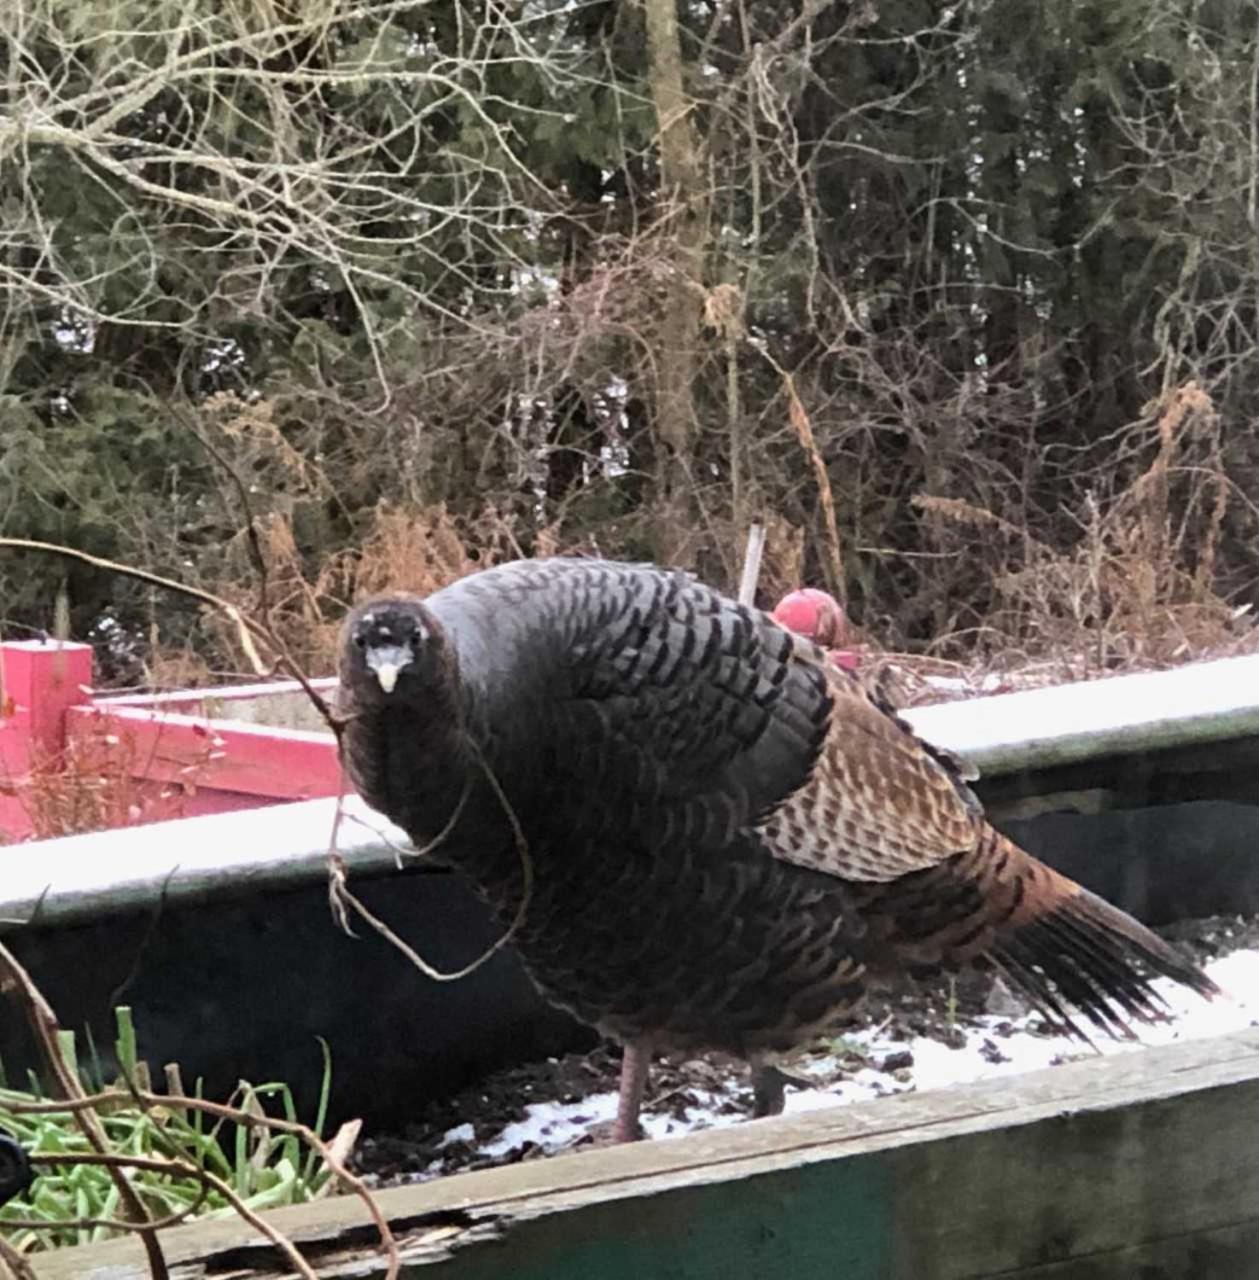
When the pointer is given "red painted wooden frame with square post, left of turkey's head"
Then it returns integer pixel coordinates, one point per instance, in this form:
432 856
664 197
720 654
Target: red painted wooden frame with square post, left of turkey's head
74 760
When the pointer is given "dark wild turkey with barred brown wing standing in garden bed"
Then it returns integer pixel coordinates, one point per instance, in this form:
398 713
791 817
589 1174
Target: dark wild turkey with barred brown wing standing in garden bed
729 840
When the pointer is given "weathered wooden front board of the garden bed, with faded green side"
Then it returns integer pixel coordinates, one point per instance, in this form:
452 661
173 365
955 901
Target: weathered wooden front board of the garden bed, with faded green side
1075 1172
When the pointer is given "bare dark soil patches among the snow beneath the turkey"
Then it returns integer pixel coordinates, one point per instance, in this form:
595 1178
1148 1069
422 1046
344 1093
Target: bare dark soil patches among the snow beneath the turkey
419 1154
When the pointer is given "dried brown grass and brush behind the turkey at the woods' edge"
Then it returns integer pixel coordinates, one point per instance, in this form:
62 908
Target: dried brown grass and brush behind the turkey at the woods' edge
1136 587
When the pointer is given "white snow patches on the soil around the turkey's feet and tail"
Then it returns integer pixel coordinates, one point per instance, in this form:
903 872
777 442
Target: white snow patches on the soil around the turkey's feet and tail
994 1048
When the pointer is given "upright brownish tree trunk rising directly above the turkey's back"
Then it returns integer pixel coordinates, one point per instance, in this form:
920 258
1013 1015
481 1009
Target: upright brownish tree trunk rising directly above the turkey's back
685 196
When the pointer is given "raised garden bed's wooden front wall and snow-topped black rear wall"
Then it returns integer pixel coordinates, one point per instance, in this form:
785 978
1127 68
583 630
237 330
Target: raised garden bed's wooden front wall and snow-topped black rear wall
217 930
